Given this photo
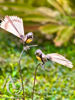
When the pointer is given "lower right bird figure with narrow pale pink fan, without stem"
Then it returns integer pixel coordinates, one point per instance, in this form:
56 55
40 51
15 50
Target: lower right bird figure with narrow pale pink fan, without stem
54 57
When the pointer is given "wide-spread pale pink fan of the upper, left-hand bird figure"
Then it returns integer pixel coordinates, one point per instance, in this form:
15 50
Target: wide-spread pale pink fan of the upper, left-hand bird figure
14 25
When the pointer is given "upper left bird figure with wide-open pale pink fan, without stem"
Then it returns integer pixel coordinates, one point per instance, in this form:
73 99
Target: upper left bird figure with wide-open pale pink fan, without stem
14 25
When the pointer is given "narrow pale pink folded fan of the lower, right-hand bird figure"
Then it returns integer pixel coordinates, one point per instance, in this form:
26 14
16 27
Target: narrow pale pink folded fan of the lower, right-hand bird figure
59 59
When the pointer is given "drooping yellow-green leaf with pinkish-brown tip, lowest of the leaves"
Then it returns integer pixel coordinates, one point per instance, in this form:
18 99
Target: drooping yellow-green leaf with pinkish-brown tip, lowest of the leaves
64 35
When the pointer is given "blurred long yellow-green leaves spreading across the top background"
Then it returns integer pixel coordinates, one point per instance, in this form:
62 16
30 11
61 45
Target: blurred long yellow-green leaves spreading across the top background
53 12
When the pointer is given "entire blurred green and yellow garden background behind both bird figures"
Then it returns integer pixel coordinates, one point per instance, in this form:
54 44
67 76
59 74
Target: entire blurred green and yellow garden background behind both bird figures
53 25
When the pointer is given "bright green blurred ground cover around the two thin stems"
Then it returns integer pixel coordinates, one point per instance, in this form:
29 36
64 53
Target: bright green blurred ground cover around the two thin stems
55 82
